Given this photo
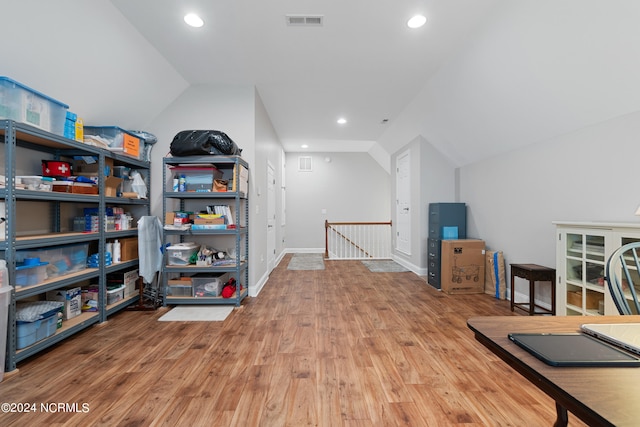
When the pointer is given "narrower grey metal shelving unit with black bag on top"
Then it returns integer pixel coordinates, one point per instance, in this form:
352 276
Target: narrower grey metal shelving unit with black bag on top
231 167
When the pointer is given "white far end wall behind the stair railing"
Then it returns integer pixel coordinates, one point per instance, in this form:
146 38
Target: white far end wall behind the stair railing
350 187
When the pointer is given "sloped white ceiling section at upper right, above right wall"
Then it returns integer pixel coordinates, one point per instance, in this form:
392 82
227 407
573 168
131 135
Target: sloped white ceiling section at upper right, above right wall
534 70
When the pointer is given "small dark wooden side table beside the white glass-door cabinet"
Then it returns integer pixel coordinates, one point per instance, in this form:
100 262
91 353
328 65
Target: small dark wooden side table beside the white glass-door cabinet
533 273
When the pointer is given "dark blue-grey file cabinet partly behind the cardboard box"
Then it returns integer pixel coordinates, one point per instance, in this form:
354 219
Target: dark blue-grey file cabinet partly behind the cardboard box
441 217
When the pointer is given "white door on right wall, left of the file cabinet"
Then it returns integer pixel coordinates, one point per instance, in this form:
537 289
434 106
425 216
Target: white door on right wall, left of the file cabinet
403 203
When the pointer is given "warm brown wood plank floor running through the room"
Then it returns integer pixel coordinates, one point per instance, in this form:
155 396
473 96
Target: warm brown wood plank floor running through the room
338 347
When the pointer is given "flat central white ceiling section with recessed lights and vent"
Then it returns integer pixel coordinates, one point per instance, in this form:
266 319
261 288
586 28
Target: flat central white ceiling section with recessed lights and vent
364 63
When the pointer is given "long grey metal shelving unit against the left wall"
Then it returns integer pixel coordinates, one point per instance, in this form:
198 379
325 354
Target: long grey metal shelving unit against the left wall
17 138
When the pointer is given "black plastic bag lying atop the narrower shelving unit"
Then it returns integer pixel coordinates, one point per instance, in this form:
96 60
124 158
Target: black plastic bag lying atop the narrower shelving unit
203 142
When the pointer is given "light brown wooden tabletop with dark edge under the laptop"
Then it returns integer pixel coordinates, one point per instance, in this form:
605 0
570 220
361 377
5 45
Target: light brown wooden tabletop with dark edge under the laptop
598 396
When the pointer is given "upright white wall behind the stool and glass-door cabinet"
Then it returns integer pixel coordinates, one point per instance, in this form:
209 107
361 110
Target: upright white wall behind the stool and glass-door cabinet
587 175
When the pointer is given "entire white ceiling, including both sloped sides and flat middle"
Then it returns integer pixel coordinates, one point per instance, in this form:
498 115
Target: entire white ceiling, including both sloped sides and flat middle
480 78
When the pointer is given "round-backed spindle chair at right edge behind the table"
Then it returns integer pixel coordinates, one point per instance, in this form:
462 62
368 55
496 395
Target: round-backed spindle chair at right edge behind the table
623 274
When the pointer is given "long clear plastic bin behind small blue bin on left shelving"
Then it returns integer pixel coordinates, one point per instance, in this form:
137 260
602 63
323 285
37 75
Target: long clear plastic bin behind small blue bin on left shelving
62 260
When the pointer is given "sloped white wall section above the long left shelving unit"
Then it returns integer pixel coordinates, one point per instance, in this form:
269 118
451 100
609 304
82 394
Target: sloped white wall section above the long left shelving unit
85 54
